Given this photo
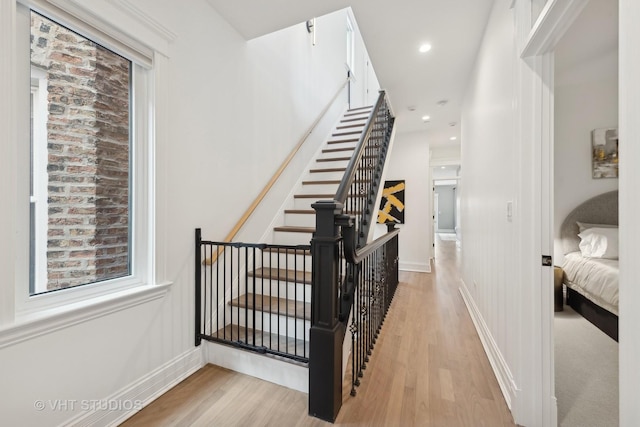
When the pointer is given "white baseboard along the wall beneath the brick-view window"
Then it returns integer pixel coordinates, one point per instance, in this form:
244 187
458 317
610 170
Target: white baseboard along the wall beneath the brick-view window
114 409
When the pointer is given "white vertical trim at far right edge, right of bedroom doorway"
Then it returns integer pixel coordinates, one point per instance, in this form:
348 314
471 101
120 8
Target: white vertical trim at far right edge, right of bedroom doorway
629 209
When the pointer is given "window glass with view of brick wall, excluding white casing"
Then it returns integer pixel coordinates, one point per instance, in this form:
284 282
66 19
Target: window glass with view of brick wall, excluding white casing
80 160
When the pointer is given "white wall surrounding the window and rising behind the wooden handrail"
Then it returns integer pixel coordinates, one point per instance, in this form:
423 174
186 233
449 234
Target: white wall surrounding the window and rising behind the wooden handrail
234 109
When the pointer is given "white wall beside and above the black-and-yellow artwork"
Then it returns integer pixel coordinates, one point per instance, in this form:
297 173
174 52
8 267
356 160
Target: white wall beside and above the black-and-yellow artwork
410 162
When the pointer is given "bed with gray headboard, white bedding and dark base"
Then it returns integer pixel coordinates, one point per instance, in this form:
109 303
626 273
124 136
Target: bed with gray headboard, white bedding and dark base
590 273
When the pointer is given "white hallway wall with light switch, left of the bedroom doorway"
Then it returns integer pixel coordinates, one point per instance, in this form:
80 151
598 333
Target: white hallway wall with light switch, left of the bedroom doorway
489 180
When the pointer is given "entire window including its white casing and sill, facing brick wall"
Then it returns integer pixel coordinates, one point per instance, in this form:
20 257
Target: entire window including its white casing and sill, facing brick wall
83 155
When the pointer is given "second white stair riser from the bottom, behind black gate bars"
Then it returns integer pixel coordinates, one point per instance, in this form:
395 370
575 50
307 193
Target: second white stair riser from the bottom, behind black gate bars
272 323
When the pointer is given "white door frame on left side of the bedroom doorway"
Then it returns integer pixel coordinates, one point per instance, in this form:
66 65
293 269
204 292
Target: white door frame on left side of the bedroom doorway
536 54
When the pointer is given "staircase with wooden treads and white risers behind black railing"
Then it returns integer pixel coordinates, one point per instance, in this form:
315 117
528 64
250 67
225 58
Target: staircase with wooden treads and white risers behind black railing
269 310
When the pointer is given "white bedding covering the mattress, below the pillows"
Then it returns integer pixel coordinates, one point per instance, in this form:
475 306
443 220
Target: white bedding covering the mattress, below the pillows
595 278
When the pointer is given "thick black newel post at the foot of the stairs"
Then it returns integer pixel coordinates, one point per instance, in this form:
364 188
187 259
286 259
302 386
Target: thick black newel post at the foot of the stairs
327 333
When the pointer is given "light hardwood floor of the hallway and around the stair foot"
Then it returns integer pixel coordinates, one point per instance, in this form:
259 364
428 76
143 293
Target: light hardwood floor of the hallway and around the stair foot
428 369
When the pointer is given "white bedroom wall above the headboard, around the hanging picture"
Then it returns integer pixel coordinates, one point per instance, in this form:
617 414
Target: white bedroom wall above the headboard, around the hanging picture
586 98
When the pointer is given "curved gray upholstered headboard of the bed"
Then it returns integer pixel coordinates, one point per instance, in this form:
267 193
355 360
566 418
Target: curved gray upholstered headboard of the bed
602 209
